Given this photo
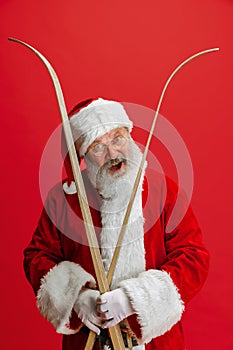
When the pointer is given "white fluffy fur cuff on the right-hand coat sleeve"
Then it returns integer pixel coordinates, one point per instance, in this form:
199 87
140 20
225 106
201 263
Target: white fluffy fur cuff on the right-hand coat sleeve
156 300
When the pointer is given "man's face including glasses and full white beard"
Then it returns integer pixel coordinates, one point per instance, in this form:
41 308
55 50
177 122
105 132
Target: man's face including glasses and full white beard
112 163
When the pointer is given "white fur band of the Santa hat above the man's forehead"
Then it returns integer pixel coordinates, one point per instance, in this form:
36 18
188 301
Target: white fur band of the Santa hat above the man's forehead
96 119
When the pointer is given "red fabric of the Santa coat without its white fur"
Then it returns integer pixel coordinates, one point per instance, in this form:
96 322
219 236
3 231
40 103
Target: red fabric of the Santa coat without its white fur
181 253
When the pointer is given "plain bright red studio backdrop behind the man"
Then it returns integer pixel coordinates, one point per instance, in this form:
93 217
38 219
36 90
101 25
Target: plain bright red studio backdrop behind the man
123 50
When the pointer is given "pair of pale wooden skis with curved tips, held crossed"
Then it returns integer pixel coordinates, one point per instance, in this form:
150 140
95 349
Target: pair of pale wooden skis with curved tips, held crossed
103 280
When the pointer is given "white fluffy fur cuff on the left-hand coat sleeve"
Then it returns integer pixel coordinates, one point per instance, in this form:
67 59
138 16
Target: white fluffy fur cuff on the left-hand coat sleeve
58 292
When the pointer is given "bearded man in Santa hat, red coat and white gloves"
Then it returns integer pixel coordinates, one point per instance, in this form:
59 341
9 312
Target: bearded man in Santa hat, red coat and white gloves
156 274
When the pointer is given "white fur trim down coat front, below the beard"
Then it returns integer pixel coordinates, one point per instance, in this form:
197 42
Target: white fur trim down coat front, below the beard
131 260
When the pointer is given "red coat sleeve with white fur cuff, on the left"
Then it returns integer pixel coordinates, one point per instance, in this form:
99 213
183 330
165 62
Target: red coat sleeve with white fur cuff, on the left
55 281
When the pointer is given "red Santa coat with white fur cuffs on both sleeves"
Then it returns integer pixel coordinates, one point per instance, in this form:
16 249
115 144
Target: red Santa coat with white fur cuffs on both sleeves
58 263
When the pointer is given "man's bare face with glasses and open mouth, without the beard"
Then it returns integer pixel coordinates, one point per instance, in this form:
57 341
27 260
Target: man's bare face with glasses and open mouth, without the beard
111 149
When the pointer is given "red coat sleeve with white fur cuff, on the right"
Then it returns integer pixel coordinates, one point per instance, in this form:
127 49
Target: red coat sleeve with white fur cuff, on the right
159 295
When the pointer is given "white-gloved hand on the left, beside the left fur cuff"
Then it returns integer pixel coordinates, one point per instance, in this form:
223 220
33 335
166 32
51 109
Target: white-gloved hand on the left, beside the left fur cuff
85 308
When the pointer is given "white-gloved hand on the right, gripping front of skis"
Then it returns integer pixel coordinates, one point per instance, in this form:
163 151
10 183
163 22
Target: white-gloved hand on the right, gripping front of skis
113 307
